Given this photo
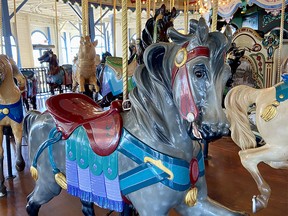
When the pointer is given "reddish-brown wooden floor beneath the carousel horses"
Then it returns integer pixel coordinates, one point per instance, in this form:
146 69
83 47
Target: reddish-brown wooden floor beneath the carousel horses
228 183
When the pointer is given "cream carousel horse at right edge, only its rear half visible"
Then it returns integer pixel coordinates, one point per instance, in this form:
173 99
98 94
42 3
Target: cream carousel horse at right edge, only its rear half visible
271 121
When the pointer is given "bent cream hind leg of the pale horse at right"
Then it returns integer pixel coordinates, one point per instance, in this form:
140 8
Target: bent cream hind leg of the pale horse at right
250 158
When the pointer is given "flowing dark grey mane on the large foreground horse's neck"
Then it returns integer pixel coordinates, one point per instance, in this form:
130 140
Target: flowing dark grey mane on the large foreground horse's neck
152 97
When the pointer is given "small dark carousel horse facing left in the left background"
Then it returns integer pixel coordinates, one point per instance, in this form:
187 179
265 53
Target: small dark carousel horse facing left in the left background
56 73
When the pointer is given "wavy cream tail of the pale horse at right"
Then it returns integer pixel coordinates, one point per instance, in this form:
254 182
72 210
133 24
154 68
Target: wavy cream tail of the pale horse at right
237 103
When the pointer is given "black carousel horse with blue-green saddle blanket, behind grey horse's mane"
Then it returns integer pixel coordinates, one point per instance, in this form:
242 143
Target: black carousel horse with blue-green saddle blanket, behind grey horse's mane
111 76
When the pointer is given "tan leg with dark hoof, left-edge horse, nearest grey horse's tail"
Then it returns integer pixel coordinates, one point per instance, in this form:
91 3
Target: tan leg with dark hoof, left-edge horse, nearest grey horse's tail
17 131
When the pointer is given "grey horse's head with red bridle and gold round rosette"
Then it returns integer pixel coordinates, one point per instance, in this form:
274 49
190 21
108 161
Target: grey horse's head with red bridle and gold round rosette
199 75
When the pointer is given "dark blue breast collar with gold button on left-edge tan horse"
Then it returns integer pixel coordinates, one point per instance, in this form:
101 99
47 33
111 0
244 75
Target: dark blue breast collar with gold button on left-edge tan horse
13 111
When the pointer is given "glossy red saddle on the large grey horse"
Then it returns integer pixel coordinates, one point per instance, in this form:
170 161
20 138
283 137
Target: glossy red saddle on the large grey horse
71 110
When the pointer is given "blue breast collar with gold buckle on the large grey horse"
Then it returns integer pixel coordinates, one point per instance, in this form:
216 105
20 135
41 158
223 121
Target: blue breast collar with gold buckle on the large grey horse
147 173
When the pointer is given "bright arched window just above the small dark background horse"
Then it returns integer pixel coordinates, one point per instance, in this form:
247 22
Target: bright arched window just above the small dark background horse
38 38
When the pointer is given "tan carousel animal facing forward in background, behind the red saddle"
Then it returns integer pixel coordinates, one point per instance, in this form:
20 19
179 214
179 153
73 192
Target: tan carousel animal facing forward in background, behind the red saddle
86 63
